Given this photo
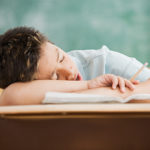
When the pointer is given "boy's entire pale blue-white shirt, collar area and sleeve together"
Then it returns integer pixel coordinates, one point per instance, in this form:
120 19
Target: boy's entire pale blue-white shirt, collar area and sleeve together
93 63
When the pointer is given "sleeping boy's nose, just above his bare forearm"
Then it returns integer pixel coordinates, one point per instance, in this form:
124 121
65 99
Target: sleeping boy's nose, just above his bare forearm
66 73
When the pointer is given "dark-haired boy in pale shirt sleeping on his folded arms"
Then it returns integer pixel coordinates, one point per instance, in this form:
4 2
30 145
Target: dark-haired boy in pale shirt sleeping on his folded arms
27 55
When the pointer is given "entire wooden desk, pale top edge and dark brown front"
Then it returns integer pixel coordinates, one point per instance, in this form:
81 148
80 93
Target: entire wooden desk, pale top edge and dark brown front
75 127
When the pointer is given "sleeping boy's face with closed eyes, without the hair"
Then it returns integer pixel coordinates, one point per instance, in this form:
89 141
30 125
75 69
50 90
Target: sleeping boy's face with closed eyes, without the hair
55 64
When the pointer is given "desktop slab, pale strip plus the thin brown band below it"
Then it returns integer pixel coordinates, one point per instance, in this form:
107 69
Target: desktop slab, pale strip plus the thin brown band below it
75 111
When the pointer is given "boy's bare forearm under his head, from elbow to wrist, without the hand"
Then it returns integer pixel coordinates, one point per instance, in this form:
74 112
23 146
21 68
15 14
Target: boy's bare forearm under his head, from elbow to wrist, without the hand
33 92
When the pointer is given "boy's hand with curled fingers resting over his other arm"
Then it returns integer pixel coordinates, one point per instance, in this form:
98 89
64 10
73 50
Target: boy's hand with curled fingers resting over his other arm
111 80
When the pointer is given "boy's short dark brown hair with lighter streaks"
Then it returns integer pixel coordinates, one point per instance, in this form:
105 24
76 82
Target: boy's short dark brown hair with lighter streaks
19 54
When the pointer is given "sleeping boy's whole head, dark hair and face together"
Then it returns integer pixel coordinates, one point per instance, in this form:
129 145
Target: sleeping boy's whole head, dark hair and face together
26 55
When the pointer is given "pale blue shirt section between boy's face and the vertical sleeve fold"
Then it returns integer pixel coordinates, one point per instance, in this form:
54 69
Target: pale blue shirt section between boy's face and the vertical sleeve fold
91 62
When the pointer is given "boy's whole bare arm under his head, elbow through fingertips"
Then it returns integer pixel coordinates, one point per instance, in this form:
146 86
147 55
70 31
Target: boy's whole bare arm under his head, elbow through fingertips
33 92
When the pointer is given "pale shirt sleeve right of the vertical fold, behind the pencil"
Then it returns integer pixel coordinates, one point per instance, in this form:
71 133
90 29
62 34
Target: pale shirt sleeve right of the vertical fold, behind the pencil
124 66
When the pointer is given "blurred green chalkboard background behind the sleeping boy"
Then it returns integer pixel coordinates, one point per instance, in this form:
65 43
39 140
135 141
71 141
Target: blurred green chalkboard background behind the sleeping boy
122 25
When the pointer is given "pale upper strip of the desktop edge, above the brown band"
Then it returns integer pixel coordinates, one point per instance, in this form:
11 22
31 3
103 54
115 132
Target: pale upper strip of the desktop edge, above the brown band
120 108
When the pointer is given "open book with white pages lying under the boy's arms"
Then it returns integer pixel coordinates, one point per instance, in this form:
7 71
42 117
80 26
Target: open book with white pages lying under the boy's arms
61 98
